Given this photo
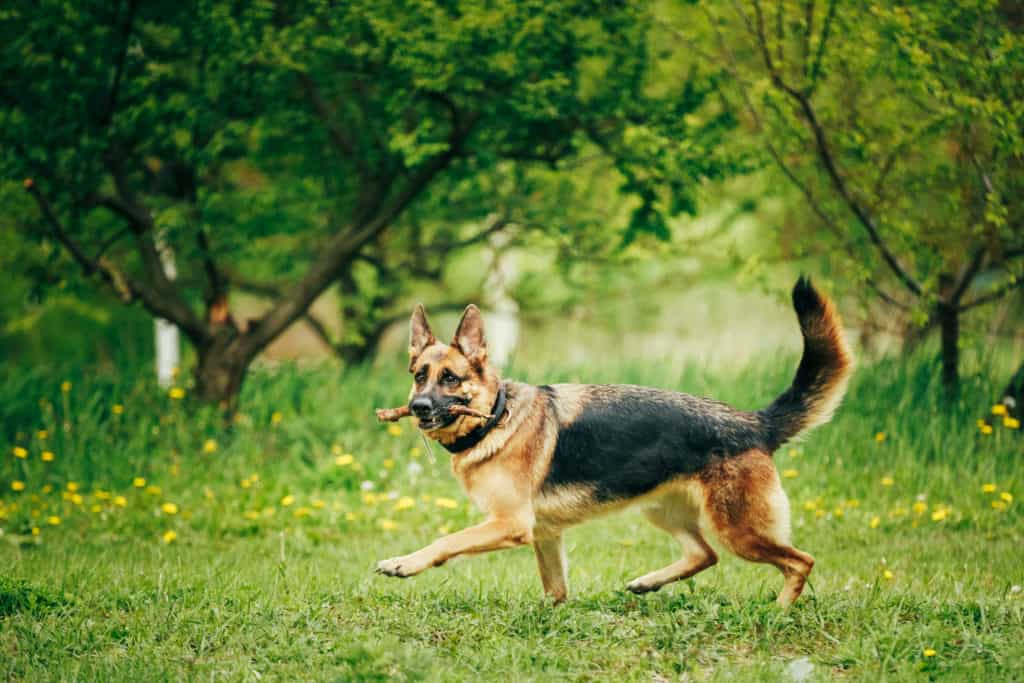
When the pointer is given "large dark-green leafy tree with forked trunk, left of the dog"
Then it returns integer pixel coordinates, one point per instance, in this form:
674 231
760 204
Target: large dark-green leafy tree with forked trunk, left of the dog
292 140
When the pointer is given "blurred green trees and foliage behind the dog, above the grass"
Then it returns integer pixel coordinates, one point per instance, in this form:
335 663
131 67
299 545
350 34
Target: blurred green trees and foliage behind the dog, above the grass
282 182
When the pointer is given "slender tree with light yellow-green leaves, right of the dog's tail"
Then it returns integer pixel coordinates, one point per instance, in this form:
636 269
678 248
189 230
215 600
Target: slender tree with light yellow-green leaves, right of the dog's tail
903 129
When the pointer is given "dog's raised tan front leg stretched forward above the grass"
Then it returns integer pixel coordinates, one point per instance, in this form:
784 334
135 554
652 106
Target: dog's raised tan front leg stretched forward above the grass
493 535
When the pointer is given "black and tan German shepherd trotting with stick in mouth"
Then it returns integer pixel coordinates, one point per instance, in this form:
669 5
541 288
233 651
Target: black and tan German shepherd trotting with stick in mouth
545 458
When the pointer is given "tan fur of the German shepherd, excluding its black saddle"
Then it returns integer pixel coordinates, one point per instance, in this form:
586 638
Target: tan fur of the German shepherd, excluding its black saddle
740 499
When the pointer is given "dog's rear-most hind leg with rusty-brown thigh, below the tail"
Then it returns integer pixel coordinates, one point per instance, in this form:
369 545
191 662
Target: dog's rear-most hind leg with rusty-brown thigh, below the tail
751 516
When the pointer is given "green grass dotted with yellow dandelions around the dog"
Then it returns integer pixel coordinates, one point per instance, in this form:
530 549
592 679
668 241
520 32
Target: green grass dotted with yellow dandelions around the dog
269 570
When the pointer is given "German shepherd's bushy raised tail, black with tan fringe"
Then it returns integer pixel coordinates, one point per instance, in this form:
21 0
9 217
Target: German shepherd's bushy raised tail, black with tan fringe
824 372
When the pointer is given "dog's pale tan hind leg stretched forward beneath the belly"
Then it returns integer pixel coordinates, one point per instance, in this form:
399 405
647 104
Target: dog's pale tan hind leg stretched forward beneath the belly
678 519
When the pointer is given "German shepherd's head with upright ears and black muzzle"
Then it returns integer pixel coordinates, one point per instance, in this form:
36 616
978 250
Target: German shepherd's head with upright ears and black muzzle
445 375
